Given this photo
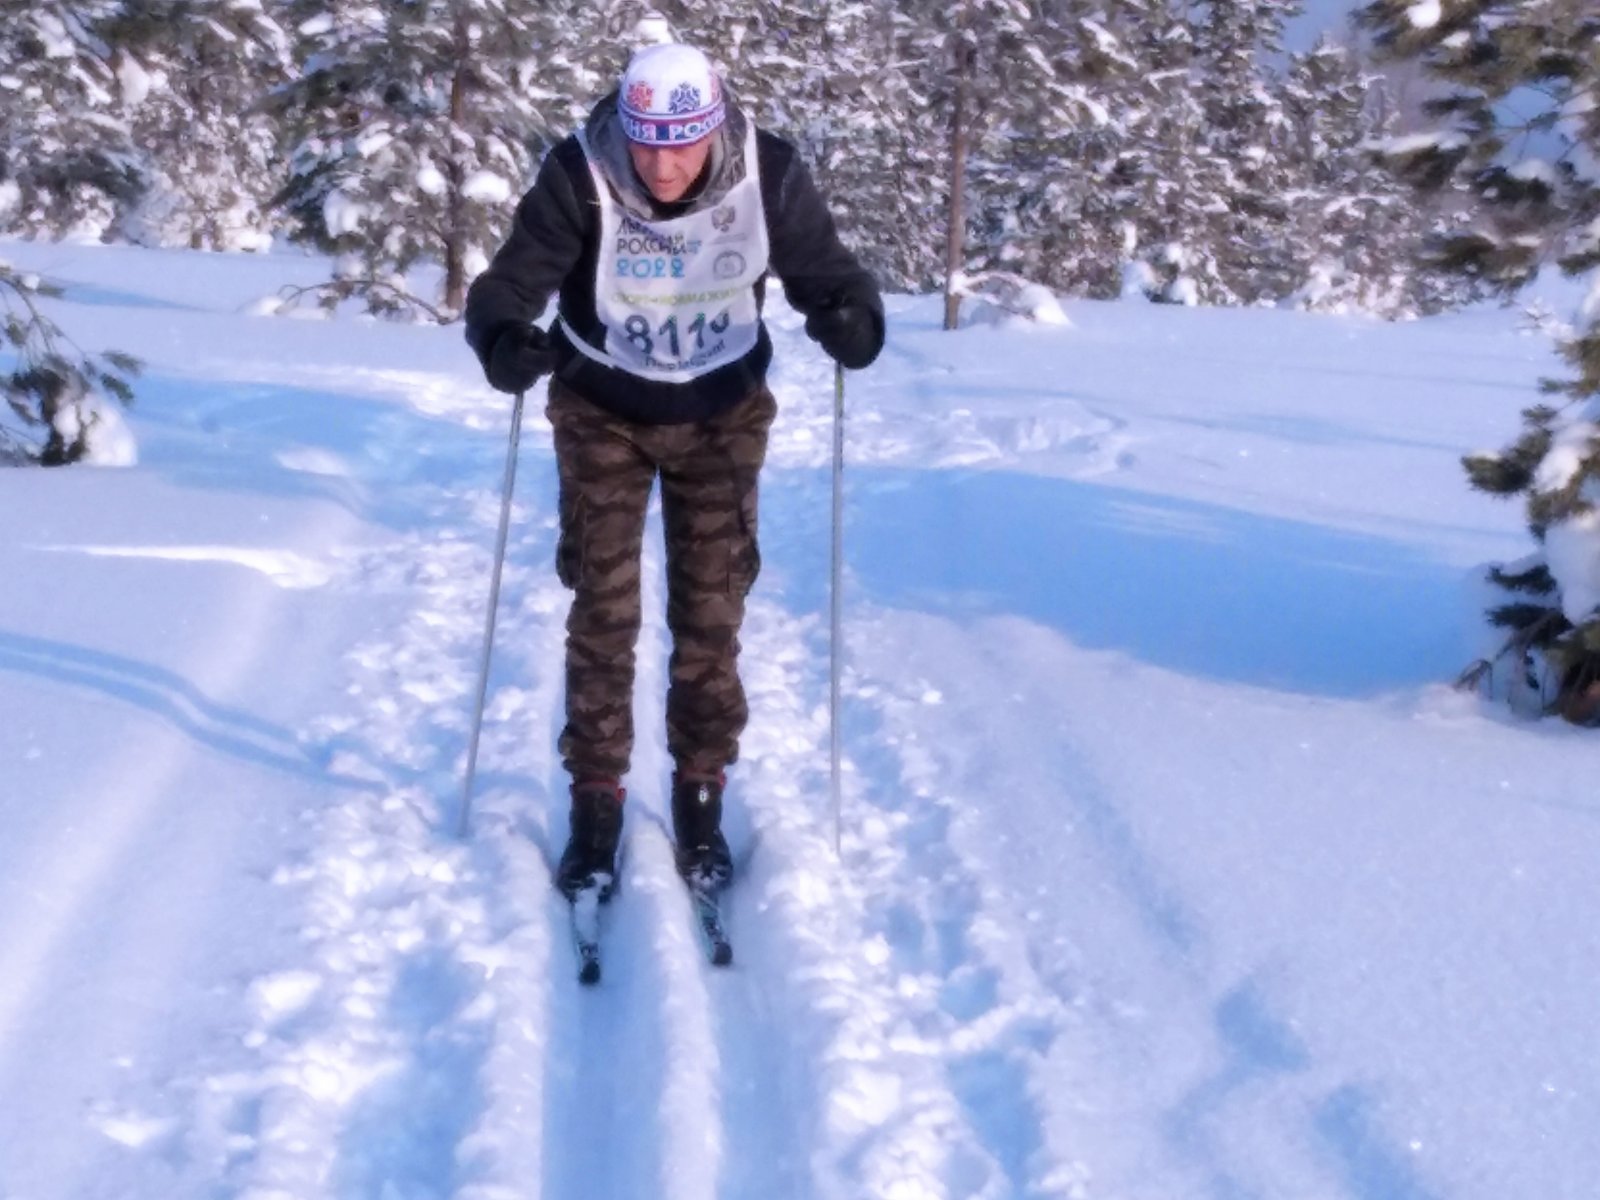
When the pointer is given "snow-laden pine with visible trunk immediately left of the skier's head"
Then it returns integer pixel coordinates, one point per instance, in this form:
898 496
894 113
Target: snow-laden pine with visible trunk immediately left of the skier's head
415 127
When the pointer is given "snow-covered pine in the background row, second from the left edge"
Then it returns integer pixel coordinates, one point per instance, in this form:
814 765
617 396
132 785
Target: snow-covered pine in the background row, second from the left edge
191 76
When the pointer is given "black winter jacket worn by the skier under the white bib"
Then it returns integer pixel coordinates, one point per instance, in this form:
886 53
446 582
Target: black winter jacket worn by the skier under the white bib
554 249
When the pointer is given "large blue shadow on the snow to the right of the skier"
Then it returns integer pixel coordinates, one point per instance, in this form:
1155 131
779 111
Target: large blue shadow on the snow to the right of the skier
1182 585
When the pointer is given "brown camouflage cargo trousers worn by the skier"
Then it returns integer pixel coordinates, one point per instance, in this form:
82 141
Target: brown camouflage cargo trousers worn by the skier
708 476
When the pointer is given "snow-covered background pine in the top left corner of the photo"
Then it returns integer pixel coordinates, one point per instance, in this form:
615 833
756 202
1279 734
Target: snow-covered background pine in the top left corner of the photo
68 164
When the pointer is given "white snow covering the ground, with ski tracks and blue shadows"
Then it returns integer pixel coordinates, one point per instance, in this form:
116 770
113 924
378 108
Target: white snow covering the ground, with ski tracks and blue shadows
1172 870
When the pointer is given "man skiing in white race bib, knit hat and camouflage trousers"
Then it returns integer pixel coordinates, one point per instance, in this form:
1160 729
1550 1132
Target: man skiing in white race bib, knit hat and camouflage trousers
655 225
